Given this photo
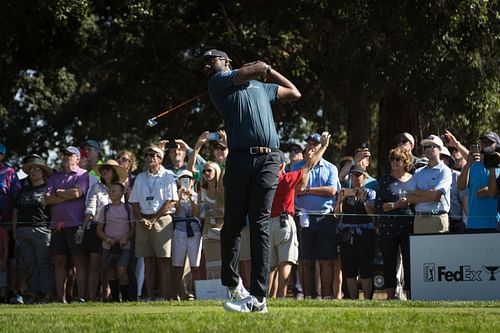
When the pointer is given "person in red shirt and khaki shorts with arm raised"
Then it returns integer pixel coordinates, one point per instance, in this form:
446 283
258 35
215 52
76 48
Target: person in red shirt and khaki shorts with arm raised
283 243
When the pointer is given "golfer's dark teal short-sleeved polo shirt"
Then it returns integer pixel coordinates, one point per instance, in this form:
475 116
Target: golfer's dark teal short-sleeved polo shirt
246 110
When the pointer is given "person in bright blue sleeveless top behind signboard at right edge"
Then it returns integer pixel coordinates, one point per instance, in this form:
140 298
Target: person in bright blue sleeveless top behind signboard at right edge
482 209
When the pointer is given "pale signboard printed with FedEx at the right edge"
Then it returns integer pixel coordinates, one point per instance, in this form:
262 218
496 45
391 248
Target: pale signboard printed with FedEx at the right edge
455 267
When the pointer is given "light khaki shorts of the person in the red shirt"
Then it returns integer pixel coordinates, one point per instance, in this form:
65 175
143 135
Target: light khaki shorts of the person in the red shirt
283 243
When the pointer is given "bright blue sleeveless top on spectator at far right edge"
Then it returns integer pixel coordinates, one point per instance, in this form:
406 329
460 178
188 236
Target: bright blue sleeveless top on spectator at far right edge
482 212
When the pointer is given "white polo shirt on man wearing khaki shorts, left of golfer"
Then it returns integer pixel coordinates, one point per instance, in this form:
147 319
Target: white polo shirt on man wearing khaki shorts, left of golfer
151 191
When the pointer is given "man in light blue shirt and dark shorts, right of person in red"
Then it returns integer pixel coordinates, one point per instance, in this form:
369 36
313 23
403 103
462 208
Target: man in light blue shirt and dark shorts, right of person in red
318 226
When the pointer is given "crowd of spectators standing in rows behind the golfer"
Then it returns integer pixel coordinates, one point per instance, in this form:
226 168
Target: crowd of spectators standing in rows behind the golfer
94 230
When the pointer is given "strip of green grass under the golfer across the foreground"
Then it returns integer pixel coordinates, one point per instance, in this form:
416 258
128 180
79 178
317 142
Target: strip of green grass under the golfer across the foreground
283 316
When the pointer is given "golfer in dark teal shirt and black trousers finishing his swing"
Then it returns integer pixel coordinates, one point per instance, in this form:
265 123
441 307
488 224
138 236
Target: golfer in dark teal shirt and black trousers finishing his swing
252 167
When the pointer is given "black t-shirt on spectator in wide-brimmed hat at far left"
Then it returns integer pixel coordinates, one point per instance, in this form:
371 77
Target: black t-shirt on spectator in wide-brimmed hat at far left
31 208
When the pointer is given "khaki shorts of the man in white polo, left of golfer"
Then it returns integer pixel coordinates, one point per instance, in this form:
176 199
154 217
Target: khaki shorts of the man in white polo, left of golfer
155 242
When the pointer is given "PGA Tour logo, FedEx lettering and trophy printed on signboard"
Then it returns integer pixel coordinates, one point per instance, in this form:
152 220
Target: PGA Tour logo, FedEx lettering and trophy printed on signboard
433 273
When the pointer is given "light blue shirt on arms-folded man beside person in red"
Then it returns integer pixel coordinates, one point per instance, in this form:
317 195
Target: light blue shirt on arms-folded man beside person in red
323 174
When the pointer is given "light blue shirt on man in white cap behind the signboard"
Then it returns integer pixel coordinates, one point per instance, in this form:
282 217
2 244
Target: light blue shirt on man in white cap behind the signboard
436 178
